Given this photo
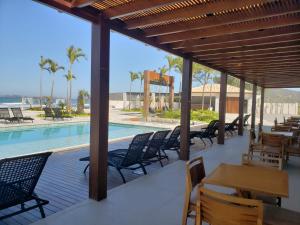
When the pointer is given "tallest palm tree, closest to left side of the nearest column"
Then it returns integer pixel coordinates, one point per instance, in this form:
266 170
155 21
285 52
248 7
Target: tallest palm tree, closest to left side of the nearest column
74 54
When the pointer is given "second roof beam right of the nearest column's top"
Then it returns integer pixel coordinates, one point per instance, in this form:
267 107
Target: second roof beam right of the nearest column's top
188 12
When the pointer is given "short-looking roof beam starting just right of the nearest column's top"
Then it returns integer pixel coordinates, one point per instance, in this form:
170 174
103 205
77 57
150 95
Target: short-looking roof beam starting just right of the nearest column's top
136 7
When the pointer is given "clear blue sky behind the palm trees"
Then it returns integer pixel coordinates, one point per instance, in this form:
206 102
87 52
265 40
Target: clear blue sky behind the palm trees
30 30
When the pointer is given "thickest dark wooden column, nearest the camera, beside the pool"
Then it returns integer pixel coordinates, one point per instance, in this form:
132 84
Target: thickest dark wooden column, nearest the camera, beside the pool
99 110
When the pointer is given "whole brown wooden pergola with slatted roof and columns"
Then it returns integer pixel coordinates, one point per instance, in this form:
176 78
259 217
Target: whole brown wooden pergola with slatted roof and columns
257 41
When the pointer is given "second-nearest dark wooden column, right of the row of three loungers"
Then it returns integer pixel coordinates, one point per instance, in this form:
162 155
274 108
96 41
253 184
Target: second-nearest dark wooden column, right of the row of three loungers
185 109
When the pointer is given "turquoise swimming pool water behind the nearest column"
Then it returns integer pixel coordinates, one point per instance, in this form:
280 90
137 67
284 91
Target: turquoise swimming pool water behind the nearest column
27 140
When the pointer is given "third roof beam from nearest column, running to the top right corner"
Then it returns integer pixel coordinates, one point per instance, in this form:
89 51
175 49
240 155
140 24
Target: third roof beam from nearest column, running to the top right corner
213 21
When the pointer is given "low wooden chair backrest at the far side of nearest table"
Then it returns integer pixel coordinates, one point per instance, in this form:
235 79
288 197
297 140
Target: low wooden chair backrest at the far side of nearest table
262 161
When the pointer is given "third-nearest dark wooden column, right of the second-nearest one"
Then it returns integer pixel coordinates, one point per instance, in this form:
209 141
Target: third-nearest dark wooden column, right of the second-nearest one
222 108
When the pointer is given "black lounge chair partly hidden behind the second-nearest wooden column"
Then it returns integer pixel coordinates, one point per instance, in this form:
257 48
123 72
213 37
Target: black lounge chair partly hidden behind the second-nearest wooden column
172 143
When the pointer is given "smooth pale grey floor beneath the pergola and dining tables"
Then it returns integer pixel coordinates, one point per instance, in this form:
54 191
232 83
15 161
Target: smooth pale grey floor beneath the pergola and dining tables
157 199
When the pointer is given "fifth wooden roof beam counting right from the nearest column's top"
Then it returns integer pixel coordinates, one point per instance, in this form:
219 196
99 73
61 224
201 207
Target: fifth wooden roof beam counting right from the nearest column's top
232 38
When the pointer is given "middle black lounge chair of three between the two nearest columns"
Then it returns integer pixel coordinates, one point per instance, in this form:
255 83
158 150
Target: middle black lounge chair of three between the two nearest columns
153 150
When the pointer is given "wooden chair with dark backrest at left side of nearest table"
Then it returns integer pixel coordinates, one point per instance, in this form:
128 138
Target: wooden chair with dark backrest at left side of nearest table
195 172
